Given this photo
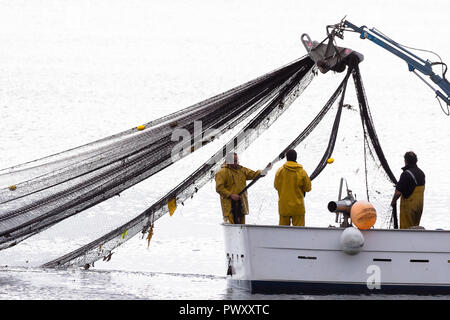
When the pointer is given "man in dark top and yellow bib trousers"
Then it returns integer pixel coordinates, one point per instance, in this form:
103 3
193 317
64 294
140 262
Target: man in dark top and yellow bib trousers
410 189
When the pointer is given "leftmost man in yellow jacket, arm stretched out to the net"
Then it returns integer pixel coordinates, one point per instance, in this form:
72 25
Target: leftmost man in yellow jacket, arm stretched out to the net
230 181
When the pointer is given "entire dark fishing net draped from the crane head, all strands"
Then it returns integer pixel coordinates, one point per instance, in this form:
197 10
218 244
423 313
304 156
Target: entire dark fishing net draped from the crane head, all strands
66 183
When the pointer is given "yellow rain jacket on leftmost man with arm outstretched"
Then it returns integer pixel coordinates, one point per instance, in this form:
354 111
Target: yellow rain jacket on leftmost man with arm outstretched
231 181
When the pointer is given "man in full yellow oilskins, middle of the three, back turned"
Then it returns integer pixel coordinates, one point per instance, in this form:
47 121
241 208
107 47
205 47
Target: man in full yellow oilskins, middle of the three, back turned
291 182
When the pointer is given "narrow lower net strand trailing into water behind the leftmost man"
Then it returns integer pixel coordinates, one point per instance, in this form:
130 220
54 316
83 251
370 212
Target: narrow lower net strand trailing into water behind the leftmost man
143 223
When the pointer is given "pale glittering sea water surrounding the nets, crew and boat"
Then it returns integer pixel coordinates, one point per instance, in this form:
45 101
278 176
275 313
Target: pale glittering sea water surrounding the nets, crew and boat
77 71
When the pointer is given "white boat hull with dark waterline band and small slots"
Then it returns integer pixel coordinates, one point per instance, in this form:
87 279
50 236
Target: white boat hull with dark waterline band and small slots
276 259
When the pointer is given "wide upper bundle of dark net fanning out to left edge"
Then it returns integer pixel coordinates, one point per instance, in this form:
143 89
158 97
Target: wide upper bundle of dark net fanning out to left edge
38 194
